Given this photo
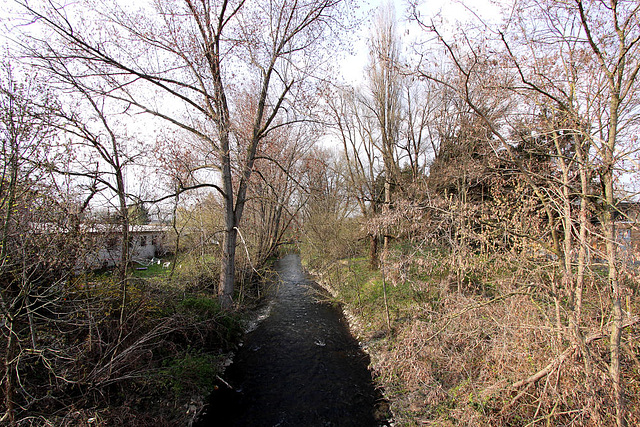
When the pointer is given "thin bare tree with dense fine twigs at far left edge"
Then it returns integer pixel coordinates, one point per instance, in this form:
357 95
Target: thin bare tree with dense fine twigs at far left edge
36 243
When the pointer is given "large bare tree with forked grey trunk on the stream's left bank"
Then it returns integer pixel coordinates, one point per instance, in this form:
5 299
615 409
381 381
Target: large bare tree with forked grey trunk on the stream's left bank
197 53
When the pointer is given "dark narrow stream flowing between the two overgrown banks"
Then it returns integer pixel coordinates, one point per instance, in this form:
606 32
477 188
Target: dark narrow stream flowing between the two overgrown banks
299 367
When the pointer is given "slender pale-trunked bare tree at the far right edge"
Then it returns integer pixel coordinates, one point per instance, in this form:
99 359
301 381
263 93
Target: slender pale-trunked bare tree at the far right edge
611 29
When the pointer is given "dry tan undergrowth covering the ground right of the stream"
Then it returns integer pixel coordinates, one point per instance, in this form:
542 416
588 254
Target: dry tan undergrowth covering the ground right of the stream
462 337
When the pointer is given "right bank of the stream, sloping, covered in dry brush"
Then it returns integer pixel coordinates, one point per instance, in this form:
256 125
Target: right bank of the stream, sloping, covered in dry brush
455 352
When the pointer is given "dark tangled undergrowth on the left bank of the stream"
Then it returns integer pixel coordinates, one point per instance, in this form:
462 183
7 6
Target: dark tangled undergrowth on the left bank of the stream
149 362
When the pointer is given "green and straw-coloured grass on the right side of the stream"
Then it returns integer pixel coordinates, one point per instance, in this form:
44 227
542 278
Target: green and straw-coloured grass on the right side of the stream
443 362
